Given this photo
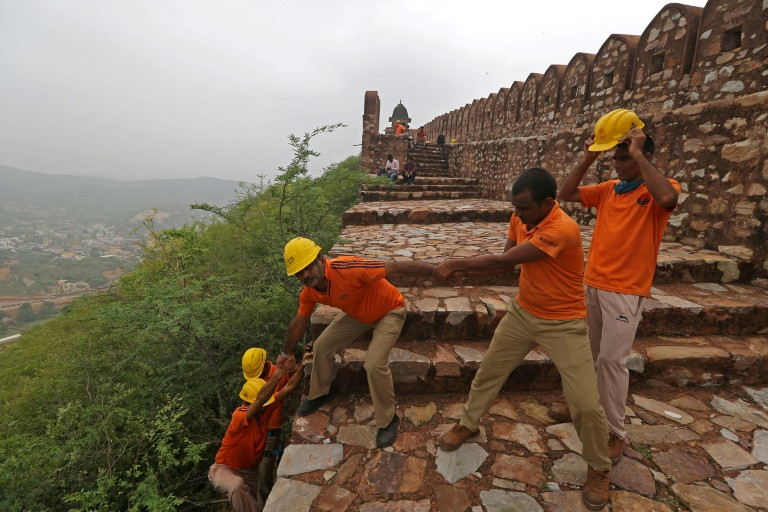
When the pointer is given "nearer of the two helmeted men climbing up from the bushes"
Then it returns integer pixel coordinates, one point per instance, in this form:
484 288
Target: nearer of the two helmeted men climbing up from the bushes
236 469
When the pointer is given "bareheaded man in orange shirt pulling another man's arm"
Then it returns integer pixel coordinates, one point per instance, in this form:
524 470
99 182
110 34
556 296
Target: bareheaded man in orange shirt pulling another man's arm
549 311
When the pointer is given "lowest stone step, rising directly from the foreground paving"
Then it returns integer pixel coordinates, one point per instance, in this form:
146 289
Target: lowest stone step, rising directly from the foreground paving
449 367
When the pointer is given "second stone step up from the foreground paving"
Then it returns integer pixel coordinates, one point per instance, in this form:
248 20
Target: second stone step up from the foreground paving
472 312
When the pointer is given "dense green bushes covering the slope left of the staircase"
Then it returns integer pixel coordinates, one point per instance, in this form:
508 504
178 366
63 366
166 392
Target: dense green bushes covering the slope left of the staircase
120 403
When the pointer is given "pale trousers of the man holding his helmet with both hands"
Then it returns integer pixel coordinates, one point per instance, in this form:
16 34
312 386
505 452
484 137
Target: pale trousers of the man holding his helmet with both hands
612 319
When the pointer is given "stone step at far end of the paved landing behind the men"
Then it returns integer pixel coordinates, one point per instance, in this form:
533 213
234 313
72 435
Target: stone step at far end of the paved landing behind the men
428 212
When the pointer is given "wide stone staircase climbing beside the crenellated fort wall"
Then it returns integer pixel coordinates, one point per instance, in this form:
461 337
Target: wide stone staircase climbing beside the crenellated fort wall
704 332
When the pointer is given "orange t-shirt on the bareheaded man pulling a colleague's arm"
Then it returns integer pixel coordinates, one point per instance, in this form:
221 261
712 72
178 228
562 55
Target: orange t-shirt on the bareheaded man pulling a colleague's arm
552 288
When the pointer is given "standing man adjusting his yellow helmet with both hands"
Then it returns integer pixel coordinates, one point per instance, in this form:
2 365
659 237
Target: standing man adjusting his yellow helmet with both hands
632 213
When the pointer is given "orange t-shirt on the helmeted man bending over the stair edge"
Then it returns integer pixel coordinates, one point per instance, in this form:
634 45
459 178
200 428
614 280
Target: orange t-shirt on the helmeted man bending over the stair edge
357 287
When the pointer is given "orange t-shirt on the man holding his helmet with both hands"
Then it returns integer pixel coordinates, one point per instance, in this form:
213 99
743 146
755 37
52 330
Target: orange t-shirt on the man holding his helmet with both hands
625 244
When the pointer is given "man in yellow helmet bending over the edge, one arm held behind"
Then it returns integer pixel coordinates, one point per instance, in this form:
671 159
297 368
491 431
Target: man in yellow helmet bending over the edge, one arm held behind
368 301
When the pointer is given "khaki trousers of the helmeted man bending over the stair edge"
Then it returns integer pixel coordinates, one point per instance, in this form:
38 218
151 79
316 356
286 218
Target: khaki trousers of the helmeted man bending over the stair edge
335 338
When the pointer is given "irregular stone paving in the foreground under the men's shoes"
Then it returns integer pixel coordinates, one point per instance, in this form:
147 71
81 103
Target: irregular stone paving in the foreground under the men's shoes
699 449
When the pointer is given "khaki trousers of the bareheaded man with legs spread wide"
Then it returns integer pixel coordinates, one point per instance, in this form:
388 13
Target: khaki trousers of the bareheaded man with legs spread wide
567 345
